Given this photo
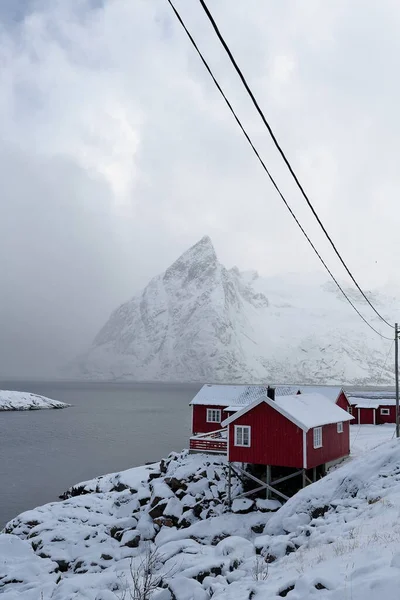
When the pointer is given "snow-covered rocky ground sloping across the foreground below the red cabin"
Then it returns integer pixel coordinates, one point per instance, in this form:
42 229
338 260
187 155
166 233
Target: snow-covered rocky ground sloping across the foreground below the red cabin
338 539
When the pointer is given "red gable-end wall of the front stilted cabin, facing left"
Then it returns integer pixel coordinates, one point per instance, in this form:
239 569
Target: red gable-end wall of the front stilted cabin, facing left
274 439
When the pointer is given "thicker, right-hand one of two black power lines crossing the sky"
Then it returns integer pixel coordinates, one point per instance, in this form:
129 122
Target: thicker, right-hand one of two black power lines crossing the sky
260 112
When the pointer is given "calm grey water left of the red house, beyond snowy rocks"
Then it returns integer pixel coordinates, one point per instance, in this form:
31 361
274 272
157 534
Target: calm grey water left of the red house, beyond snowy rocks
112 426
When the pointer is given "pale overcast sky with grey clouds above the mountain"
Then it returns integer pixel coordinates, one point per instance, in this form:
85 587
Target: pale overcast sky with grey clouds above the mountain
117 153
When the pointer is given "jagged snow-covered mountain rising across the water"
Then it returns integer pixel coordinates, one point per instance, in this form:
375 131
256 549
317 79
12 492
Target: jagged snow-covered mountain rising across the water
199 321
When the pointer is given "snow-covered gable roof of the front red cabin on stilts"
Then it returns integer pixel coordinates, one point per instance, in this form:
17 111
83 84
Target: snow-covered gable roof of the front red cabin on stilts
305 410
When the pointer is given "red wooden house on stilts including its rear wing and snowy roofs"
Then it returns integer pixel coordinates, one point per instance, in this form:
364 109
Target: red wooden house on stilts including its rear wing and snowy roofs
287 434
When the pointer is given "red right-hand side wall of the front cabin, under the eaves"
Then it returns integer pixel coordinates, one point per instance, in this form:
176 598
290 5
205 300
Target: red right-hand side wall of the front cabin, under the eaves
334 445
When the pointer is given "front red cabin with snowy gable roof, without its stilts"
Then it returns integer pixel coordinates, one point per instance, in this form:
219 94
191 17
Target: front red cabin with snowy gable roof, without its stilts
302 431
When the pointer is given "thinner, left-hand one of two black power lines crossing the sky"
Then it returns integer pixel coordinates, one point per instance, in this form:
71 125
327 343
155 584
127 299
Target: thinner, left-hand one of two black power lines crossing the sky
266 169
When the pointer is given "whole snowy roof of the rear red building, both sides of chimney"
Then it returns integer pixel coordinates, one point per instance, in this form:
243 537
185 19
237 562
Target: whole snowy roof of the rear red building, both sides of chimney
243 395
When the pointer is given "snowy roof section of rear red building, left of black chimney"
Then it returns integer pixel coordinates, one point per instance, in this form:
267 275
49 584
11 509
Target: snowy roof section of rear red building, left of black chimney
228 395
